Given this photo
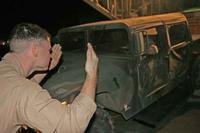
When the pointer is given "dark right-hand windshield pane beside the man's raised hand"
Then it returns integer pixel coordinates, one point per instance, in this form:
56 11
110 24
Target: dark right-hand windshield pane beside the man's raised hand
113 41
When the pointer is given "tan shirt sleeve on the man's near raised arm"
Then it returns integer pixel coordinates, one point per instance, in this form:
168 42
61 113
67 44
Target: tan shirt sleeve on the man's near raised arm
38 110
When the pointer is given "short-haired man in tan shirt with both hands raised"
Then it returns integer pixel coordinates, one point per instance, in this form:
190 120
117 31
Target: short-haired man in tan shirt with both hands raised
24 102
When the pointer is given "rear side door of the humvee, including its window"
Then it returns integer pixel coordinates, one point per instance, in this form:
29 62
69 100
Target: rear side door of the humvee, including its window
179 38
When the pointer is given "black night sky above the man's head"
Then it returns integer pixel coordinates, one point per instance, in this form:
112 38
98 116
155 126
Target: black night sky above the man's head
51 15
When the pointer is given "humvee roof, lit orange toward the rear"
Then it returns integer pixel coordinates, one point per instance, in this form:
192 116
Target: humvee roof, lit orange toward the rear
138 21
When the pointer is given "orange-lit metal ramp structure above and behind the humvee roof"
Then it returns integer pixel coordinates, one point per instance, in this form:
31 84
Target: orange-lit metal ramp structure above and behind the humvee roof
119 9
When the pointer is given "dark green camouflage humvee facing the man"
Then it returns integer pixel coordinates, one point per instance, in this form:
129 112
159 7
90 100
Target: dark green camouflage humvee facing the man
140 60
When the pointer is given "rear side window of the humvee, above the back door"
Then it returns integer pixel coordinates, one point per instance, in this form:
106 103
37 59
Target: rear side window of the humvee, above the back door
178 33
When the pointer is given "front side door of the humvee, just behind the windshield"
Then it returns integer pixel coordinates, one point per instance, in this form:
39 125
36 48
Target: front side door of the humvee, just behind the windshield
153 66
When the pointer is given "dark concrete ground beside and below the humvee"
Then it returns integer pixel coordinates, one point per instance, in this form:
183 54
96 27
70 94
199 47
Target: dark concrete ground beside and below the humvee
178 112
